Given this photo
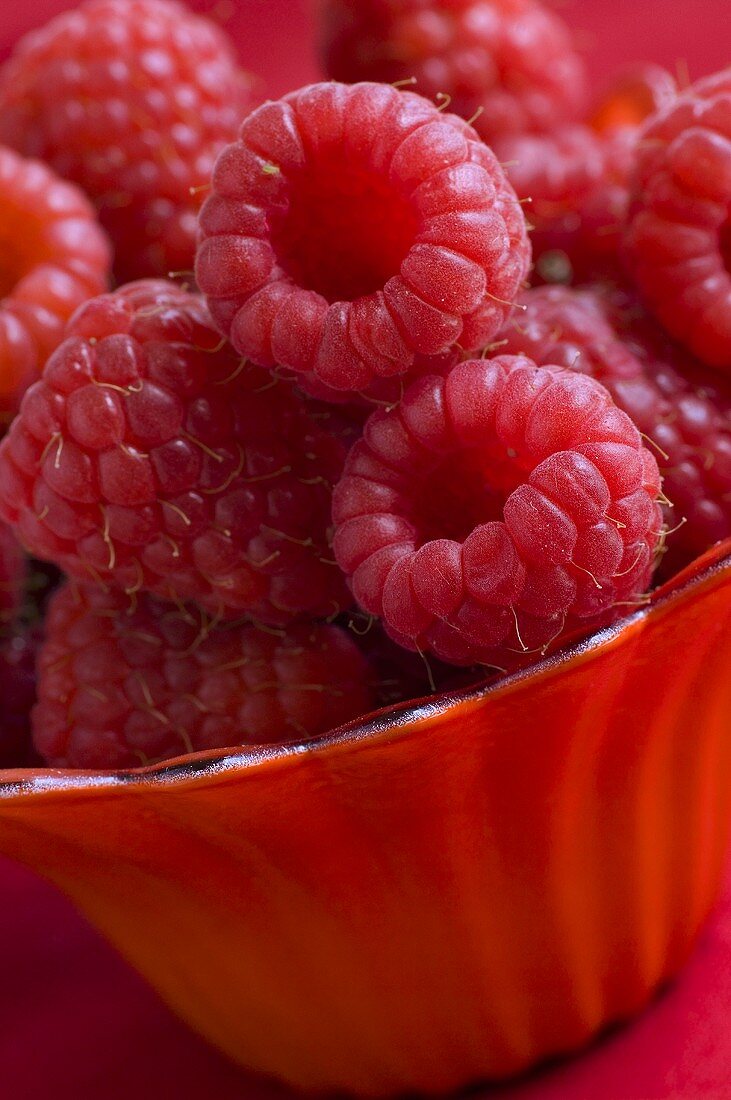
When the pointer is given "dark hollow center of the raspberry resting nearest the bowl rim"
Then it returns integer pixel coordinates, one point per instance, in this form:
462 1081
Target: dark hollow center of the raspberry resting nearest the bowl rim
463 492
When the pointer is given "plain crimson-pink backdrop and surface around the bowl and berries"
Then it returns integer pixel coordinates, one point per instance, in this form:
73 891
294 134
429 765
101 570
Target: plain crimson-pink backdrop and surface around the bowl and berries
76 1024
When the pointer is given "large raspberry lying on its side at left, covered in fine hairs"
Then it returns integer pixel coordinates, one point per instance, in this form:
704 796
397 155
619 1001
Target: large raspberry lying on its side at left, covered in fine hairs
151 456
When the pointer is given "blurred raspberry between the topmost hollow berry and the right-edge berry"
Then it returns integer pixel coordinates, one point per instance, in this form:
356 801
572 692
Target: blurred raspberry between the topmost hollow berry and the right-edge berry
577 182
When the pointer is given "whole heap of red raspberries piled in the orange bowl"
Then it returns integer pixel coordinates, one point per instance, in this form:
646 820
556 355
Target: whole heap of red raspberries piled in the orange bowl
397 383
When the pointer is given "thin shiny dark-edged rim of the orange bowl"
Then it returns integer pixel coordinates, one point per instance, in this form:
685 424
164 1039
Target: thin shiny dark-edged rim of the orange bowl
395 718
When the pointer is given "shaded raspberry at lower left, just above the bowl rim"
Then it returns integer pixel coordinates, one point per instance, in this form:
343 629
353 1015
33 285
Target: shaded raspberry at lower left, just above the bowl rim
123 687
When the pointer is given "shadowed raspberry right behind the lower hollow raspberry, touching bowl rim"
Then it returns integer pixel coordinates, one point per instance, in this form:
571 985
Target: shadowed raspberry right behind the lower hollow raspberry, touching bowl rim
684 410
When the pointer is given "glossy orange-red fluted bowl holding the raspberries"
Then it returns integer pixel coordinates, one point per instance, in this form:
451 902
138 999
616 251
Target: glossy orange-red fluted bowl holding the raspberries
444 894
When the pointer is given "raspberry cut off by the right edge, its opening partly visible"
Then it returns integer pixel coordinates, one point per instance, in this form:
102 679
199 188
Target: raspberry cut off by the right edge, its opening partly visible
679 234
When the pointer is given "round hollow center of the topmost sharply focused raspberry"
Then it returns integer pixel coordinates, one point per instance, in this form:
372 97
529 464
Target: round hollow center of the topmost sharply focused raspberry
346 234
